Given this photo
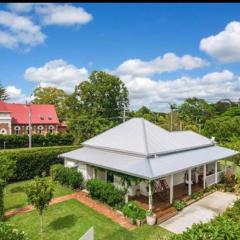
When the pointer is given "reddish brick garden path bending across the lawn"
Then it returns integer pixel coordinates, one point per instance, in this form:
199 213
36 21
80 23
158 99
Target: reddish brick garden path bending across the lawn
83 198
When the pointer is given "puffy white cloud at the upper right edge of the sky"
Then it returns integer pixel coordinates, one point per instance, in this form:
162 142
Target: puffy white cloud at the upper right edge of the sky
224 46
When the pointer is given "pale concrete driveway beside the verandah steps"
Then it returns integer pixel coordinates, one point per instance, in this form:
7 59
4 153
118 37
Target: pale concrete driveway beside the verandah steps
202 210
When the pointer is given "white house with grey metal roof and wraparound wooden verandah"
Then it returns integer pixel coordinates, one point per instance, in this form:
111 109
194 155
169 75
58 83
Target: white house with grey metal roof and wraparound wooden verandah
178 162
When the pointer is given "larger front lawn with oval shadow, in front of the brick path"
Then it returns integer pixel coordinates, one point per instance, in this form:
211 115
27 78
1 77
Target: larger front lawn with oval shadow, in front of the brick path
70 220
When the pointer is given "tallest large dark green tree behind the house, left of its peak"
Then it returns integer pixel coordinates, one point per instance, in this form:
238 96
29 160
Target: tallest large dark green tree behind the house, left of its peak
97 104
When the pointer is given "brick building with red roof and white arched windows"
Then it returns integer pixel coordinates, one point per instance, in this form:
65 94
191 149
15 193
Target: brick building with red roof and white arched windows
15 118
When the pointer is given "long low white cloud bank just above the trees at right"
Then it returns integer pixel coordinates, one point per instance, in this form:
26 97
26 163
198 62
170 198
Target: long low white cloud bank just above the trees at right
157 94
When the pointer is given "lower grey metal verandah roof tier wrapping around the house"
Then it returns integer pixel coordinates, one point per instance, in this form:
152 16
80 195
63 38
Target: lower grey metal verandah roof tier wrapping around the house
149 168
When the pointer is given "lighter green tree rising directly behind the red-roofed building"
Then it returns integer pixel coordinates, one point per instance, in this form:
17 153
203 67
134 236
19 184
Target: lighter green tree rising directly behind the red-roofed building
51 95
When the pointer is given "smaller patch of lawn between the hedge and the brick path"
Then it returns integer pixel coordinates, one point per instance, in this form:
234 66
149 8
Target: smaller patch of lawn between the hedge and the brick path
15 196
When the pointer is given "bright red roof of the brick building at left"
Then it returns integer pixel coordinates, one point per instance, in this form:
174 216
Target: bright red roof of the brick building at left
41 113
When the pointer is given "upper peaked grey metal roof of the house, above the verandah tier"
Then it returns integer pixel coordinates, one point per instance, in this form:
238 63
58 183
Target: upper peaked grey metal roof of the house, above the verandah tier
144 138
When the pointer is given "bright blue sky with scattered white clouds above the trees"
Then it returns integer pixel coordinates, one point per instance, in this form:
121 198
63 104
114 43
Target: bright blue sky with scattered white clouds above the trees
164 53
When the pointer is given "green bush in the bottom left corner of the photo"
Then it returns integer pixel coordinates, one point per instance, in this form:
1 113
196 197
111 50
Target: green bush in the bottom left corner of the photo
9 232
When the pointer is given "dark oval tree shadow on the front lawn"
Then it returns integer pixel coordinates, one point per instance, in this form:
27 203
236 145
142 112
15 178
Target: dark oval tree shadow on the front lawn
63 222
